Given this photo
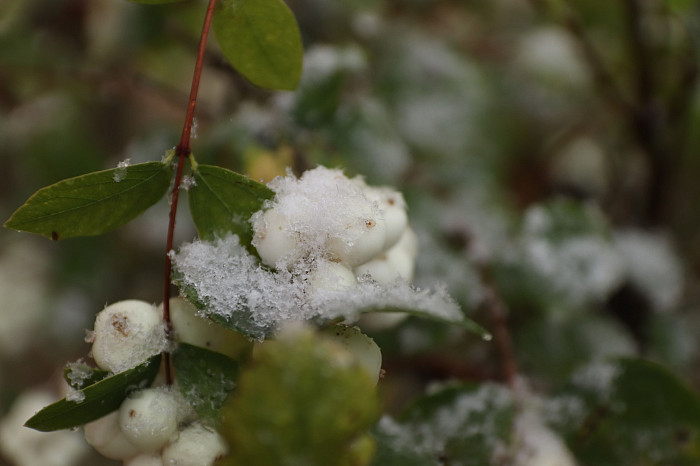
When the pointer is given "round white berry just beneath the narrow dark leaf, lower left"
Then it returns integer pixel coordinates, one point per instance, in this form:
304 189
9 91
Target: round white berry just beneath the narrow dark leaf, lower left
148 418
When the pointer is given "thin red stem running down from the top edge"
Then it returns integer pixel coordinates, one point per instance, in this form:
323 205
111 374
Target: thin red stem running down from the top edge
182 151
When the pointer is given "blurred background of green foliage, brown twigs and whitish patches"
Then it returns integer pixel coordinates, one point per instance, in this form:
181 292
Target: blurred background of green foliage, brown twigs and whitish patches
549 151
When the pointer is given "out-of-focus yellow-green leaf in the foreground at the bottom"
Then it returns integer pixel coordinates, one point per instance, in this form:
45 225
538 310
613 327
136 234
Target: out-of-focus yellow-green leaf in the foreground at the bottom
300 402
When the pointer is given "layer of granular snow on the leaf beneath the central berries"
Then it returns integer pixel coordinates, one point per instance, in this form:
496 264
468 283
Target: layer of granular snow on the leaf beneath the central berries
233 284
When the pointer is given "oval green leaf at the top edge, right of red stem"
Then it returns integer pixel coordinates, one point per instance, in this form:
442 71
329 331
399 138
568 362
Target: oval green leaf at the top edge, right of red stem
261 39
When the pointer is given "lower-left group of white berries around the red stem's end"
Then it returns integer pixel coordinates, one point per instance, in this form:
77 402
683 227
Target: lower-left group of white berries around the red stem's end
154 426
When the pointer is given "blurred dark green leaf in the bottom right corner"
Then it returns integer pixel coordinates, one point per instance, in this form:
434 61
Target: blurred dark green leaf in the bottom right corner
629 411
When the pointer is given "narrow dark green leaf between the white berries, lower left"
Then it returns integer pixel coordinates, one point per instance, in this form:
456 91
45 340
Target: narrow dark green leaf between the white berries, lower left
100 399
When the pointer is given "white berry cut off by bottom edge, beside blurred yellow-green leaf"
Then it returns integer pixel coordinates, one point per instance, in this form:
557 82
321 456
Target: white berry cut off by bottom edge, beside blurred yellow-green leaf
196 445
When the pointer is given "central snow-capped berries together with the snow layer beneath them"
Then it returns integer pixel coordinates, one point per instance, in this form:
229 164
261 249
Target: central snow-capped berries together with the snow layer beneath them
337 246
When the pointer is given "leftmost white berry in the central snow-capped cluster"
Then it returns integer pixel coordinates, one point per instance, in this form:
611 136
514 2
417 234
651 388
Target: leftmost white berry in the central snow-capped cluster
273 238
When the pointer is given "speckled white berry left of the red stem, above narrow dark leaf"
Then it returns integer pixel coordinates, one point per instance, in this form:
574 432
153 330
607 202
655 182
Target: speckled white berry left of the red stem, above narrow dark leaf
126 334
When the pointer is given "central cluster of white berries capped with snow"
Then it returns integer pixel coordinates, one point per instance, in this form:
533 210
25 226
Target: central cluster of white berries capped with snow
335 230
